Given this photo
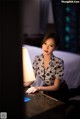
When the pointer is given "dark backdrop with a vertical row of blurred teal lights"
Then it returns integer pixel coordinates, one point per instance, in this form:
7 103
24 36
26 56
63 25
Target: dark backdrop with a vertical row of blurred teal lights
67 22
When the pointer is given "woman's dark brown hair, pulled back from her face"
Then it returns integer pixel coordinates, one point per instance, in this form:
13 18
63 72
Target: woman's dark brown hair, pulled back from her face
53 36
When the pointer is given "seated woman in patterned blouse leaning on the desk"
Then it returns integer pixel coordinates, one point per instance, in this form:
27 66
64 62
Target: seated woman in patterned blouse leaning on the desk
48 68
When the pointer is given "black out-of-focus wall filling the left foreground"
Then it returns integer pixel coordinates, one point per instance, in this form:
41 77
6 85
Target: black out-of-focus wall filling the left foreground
11 83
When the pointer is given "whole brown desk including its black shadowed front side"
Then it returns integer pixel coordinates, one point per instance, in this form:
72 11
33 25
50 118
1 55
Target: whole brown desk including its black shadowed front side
42 106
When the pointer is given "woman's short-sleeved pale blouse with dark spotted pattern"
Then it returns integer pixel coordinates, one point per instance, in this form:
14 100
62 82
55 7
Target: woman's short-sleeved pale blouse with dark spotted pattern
54 69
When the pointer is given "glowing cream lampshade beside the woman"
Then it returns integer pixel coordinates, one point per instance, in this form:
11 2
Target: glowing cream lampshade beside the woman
28 73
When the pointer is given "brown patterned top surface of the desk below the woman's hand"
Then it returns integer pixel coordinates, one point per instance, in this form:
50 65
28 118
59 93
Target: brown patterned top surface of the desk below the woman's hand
40 103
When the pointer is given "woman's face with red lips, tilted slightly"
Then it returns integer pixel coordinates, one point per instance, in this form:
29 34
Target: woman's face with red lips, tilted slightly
48 46
